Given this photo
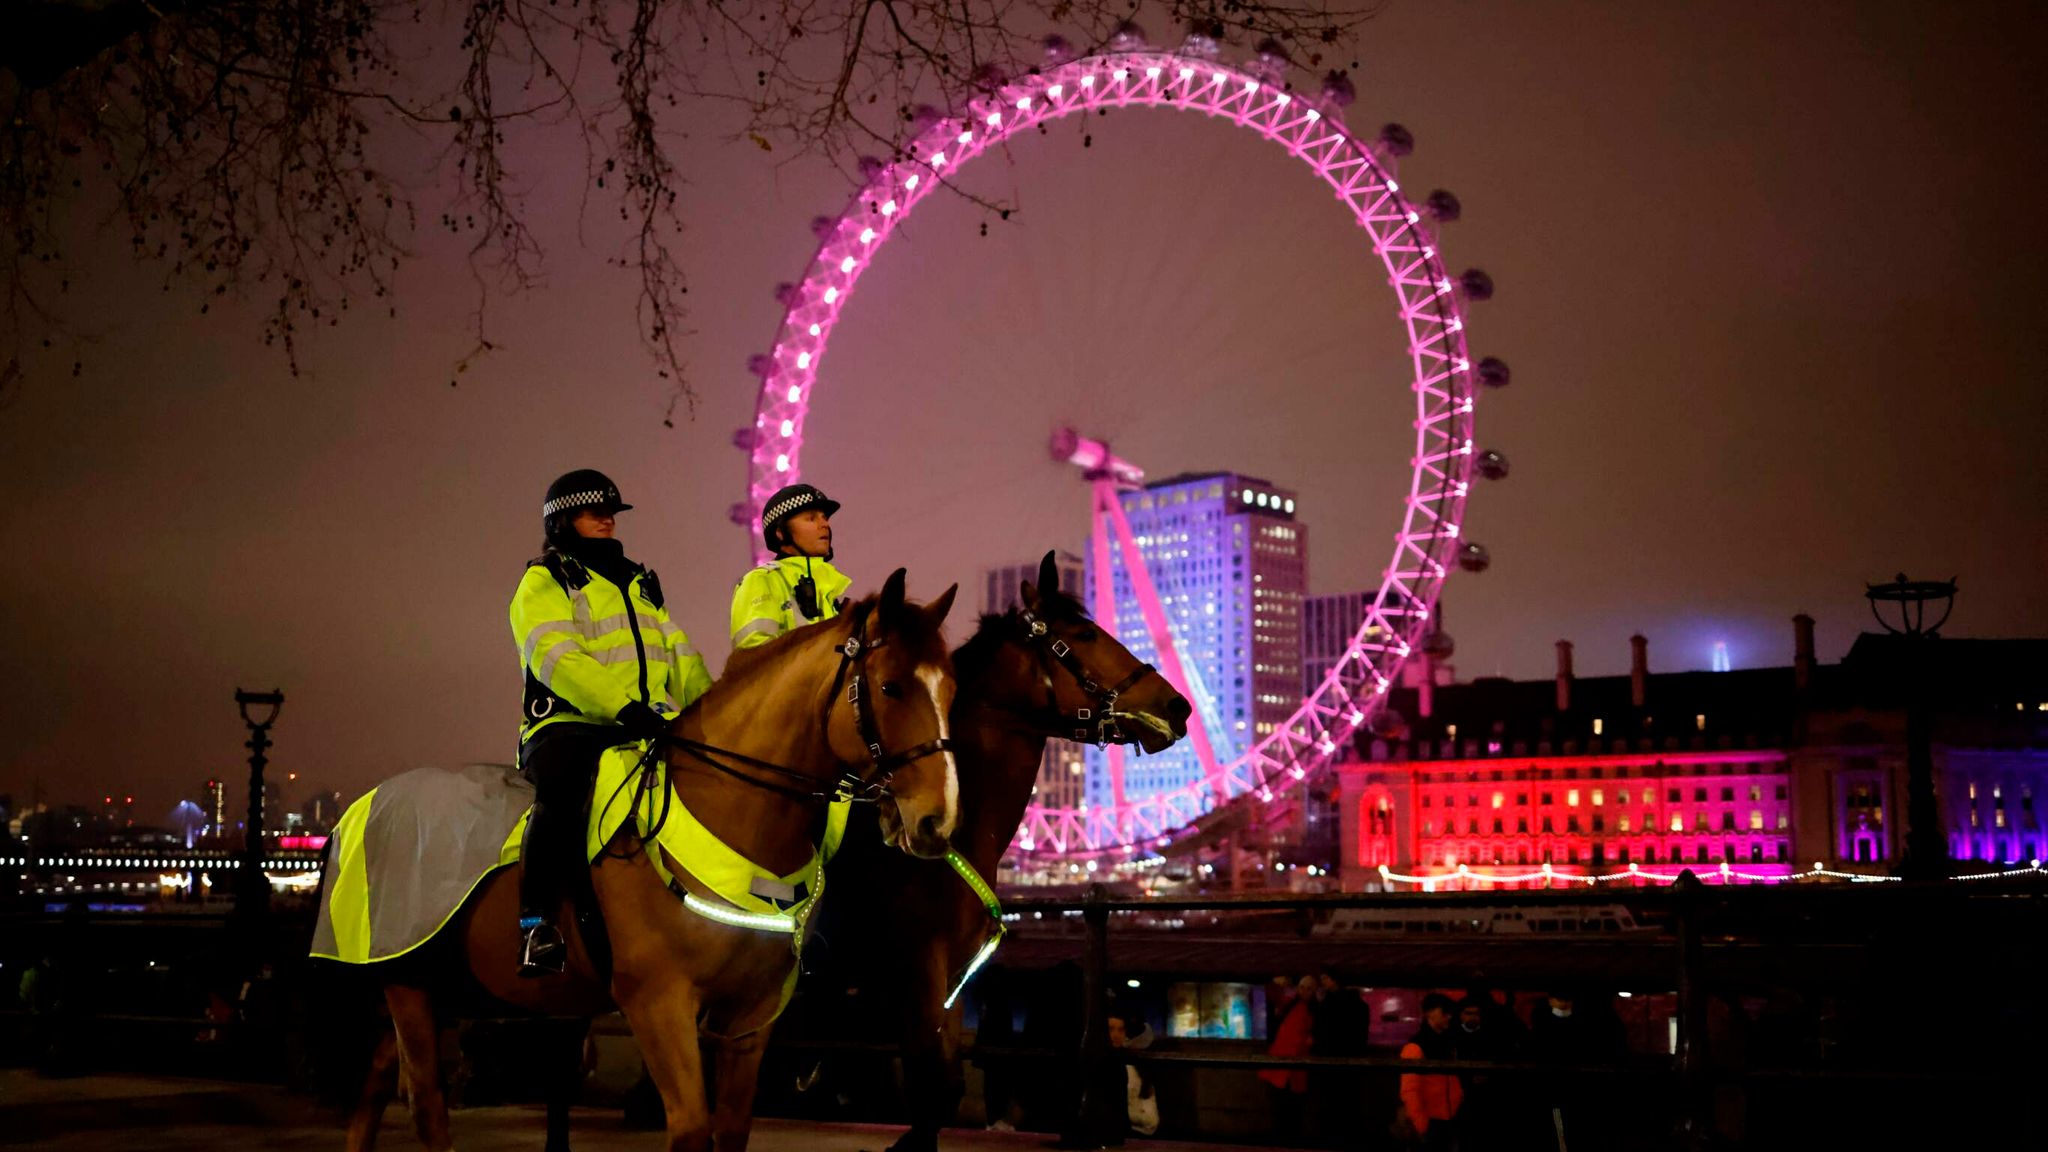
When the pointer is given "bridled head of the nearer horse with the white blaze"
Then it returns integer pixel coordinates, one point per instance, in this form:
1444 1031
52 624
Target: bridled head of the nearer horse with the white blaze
898 727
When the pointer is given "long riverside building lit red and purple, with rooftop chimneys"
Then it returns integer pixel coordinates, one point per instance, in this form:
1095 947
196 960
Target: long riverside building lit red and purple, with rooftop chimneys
1746 774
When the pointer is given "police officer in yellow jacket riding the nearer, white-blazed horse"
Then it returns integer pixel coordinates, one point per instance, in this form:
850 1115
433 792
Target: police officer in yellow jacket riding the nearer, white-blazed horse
603 667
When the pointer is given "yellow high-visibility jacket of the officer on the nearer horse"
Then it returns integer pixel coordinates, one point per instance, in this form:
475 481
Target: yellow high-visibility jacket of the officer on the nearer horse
587 653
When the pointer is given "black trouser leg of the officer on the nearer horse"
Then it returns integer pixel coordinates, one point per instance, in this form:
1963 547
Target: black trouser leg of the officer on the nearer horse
562 759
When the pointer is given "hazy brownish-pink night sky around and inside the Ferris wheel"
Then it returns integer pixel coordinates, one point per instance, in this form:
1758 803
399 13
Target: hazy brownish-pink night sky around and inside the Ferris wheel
1768 280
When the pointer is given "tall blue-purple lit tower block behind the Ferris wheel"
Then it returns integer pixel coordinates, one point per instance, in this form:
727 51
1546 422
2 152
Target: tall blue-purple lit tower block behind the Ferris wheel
1230 565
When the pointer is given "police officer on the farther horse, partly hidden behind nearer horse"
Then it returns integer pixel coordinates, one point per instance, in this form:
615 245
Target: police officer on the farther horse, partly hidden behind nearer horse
800 585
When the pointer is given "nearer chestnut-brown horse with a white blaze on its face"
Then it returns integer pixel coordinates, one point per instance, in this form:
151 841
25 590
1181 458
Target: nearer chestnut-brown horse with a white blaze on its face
781 723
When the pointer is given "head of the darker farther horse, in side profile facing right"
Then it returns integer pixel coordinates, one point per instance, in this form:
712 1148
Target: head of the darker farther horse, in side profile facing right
1095 686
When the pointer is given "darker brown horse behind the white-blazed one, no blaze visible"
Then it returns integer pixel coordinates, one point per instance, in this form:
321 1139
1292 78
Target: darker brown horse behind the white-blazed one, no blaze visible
912 928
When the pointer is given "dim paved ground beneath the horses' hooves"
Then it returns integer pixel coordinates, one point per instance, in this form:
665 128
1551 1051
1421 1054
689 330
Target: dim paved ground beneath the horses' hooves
204 1116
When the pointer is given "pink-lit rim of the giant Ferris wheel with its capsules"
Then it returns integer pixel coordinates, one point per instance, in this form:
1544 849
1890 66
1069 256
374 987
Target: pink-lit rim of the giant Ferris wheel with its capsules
1428 302
